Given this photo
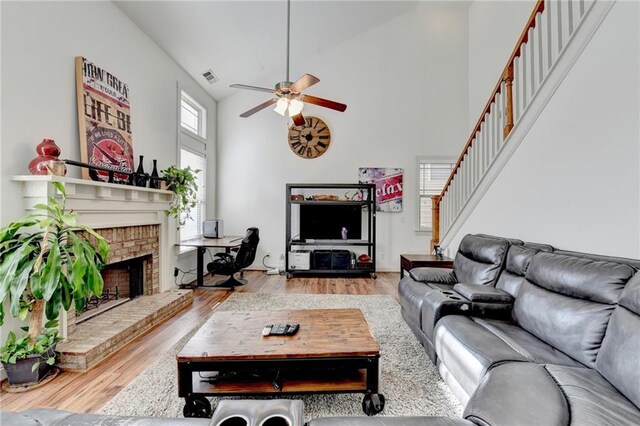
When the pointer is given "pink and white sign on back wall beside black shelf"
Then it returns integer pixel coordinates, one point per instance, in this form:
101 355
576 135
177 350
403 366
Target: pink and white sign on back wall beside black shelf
388 183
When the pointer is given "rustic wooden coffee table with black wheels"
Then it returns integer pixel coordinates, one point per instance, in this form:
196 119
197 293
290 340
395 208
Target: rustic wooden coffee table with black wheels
333 352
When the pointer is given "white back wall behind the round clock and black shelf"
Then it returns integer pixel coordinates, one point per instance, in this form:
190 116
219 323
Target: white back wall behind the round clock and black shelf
405 84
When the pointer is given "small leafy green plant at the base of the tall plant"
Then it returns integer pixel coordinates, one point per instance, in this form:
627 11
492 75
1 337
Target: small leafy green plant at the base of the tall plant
43 345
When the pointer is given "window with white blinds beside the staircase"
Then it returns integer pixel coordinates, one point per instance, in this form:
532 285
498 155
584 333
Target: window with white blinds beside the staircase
432 175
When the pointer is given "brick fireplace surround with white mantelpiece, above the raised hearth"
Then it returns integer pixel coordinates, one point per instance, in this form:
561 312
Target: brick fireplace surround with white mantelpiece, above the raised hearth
131 218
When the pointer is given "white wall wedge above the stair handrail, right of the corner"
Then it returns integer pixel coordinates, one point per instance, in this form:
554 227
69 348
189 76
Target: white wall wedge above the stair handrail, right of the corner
494 28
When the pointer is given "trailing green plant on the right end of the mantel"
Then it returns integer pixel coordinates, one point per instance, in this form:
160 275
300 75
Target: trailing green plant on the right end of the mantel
184 184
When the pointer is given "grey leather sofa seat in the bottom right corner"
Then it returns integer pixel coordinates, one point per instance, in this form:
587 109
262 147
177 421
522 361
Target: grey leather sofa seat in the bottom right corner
592 400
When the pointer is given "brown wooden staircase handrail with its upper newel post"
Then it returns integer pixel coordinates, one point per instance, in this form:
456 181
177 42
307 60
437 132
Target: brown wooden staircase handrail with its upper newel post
508 71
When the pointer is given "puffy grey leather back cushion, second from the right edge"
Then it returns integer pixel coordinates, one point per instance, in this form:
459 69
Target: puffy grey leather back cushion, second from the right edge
567 302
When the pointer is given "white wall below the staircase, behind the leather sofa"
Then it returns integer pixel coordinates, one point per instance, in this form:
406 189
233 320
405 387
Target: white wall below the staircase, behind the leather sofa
574 182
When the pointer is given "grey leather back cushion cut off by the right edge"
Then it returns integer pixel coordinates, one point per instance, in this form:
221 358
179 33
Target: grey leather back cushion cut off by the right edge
619 357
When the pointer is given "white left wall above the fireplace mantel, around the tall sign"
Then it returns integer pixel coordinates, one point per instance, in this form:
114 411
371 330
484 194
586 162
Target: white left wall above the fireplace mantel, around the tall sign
39 43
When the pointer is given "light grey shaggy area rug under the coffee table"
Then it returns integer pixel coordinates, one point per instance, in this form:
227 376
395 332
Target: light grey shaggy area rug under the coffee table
409 380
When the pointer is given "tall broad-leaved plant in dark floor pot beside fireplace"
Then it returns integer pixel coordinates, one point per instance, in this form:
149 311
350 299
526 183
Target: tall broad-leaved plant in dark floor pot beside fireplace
47 262
